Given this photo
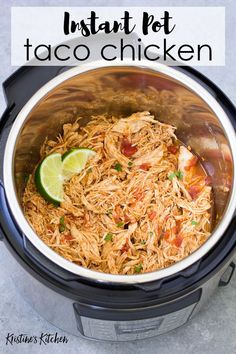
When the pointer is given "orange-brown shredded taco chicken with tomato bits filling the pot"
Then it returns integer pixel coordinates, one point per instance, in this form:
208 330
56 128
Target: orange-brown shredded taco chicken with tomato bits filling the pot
138 206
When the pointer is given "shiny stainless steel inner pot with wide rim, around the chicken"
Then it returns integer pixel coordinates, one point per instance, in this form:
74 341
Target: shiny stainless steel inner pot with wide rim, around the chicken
172 96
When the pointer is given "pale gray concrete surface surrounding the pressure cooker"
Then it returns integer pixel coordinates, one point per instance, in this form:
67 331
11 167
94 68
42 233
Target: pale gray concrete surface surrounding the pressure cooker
214 329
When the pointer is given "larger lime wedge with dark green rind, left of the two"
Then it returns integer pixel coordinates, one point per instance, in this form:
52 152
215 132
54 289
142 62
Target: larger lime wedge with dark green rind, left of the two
49 179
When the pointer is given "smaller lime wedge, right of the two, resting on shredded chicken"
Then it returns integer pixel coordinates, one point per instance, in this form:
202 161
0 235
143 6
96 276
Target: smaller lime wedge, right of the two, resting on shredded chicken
74 161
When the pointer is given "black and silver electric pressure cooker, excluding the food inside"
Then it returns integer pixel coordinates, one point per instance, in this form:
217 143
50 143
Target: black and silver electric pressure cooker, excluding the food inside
81 301
